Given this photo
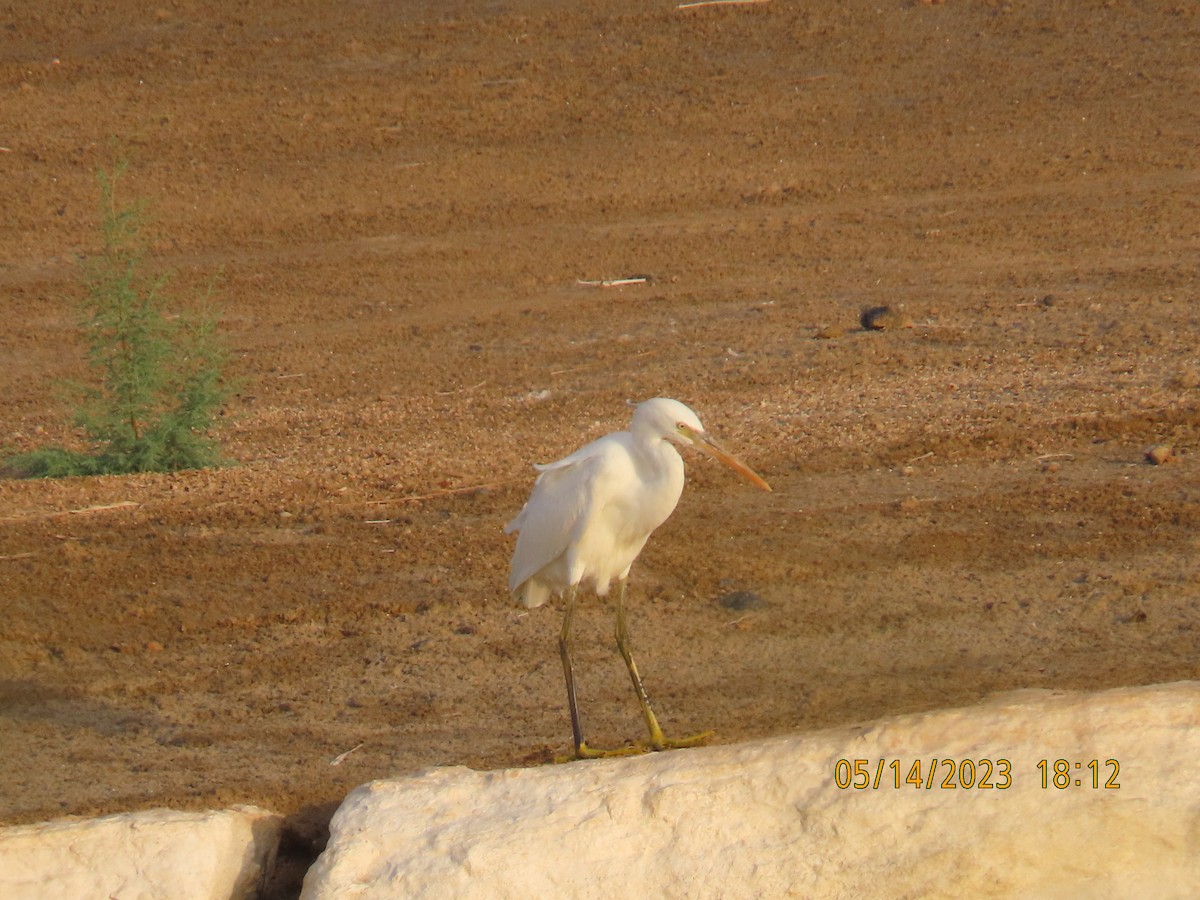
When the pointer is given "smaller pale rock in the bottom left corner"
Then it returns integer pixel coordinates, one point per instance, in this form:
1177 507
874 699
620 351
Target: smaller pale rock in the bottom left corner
158 854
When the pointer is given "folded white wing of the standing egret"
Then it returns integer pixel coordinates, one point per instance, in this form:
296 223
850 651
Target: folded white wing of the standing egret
547 524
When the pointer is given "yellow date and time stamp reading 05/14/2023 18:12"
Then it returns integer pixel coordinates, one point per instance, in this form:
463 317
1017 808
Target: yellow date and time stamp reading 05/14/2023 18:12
981 775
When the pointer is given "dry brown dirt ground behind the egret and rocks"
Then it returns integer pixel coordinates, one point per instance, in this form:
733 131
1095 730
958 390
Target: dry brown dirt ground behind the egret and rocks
403 201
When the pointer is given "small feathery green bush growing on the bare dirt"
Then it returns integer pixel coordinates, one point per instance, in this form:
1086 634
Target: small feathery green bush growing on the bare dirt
157 381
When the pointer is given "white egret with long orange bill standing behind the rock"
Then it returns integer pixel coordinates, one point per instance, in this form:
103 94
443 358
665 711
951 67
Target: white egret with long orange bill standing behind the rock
589 518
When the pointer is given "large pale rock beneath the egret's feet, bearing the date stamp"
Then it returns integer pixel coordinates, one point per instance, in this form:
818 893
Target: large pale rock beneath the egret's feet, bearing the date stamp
769 820
